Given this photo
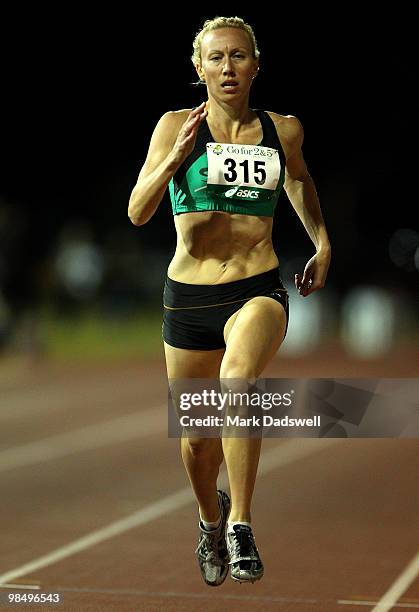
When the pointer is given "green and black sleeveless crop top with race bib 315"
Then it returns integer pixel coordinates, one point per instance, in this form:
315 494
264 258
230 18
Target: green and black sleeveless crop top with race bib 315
234 178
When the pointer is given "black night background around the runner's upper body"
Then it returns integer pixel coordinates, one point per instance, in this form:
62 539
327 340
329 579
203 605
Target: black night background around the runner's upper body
82 94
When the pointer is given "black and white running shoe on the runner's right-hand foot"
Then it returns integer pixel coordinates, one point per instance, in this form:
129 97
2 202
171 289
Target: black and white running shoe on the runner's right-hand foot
246 565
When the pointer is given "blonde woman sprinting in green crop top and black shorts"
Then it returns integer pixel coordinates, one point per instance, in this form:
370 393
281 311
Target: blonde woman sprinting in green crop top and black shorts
225 308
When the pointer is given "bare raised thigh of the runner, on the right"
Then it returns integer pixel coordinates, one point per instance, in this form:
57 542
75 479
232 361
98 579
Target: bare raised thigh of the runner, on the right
253 335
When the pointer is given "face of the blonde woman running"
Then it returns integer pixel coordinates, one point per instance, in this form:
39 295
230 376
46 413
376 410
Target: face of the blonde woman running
228 66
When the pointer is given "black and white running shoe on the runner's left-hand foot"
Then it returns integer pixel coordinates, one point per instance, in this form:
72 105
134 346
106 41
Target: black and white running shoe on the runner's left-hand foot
212 549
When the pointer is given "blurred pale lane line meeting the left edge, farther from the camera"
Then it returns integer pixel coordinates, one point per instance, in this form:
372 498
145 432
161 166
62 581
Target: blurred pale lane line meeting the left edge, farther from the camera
129 427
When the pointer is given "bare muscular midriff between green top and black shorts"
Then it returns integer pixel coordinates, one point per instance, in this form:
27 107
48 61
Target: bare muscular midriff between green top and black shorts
218 247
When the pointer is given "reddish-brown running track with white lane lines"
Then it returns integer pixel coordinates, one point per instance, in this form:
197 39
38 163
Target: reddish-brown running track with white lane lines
96 505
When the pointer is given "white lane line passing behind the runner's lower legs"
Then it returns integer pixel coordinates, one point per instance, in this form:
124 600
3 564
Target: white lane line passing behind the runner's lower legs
284 454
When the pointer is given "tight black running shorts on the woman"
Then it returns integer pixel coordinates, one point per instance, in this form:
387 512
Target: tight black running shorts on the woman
194 315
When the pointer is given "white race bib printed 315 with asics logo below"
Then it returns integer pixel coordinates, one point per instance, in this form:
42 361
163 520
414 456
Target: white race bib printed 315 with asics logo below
244 172
